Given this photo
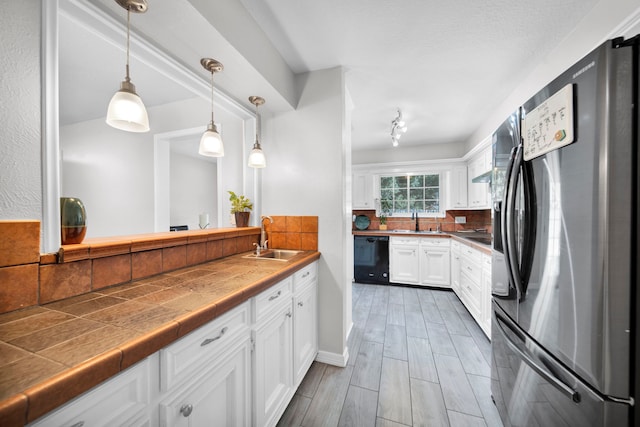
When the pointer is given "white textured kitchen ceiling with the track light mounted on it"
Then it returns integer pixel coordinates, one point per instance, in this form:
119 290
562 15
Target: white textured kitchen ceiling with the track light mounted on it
445 64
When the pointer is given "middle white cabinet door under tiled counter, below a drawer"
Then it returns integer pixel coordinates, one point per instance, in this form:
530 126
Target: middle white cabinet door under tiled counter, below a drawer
273 366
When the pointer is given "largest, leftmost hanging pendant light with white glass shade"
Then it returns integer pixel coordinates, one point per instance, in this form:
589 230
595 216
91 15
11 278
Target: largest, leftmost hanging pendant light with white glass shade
126 110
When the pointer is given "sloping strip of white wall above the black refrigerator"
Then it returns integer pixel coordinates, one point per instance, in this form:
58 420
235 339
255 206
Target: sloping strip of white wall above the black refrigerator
608 19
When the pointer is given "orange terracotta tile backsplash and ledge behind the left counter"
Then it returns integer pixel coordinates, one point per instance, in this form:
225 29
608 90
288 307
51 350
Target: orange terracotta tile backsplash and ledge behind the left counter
28 278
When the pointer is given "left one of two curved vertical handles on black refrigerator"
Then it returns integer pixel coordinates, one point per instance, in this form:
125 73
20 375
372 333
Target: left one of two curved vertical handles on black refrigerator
511 253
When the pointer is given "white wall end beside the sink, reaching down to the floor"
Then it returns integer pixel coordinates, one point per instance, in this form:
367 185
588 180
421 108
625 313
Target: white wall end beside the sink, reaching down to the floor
306 175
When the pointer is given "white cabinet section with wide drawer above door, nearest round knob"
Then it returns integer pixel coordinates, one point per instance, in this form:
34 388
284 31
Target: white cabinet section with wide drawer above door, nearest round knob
206 374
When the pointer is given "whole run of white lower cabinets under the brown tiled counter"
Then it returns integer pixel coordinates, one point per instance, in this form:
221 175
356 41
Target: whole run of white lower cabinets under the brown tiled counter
240 369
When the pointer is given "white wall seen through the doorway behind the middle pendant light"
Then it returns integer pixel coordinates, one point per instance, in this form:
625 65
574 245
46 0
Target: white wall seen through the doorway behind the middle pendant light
193 190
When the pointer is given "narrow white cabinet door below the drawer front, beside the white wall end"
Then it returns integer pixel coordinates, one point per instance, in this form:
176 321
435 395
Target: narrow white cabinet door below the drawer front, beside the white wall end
305 331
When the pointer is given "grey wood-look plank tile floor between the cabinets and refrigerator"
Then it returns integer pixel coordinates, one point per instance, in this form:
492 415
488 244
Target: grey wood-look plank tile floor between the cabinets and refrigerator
416 358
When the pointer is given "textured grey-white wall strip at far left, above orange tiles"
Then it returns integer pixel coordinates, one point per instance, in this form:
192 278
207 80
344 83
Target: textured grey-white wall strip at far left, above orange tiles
20 182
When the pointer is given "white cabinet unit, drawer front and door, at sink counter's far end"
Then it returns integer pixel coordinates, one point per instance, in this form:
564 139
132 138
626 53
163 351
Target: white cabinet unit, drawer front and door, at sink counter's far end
305 321
